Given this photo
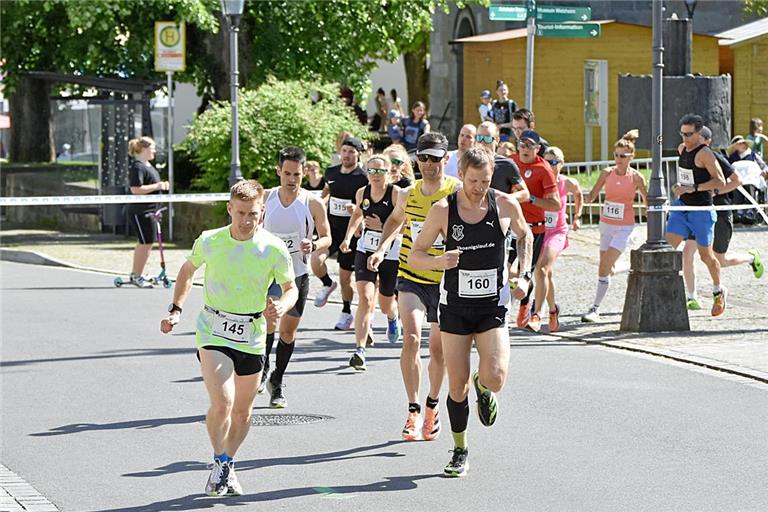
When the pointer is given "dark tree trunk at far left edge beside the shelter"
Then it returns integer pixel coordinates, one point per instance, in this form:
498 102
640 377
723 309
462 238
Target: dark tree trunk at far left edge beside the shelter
31 130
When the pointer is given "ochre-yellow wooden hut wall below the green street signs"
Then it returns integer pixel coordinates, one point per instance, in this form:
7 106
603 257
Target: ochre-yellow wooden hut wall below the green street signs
558 82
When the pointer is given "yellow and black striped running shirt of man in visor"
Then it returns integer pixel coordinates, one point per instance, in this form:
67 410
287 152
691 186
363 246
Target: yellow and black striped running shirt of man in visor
416 210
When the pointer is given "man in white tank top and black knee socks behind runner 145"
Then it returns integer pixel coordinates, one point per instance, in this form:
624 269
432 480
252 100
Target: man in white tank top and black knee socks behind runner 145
292 214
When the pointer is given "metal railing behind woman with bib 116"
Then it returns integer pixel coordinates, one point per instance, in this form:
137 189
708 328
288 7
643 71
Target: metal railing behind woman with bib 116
592 170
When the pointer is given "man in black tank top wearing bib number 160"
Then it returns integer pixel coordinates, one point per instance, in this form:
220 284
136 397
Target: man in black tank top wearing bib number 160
474 289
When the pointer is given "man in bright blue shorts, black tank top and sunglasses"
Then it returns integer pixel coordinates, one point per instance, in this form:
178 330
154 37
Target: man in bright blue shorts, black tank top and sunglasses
698 176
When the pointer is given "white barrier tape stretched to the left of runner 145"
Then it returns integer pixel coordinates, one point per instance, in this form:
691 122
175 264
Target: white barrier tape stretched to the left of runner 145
120 199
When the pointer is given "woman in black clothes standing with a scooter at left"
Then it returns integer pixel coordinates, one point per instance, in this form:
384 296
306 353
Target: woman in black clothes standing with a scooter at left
143 179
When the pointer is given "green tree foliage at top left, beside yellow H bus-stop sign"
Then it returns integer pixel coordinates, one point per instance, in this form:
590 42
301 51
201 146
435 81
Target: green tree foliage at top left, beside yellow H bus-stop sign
94 37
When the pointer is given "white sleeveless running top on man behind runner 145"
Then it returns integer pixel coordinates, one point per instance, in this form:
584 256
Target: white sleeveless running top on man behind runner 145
291 224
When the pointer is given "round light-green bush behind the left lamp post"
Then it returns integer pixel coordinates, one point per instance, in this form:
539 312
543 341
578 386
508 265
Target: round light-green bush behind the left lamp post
275 115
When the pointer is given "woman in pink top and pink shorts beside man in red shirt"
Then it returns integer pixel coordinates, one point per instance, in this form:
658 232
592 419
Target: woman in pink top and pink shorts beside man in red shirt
555 240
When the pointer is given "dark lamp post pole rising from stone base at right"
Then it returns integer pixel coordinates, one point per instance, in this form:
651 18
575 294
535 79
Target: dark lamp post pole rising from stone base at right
656 191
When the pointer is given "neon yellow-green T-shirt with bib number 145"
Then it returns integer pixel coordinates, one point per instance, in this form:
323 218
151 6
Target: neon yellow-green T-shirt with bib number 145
237 276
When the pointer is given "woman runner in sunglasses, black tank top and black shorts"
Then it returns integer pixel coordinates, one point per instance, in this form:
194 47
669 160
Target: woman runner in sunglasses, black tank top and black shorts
373 205
